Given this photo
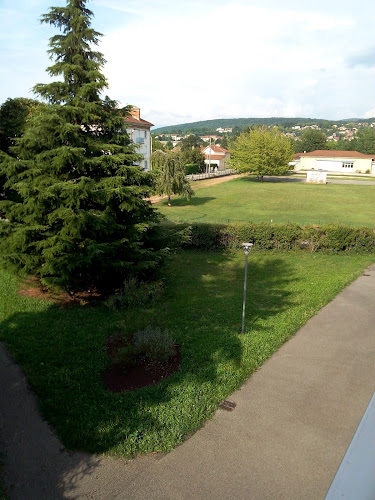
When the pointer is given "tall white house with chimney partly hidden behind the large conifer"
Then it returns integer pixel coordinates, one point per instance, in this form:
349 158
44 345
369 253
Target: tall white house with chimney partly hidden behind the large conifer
139 133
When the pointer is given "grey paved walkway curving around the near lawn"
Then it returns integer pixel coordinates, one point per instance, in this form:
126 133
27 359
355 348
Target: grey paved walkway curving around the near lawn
293 421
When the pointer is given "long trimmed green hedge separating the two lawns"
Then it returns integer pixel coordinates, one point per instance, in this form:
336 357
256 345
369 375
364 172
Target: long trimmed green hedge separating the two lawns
328 238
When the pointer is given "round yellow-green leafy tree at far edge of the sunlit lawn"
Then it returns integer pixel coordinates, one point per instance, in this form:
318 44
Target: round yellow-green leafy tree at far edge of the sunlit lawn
262 152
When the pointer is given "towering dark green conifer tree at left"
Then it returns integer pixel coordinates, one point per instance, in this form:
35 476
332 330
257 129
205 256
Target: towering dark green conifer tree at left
80 219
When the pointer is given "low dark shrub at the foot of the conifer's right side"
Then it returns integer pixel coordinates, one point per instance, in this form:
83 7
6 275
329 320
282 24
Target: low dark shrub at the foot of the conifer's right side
136 292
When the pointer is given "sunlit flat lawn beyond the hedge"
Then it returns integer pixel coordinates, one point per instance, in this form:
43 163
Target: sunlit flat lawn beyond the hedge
246 199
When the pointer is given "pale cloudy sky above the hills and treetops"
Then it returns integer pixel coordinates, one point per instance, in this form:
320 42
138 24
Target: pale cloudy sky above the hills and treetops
189 60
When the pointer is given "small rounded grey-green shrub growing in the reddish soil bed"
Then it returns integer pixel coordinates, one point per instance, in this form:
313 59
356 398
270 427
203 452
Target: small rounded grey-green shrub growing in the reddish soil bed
153 344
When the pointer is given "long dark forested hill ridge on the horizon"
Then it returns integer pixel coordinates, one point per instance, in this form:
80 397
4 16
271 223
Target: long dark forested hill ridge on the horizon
209 126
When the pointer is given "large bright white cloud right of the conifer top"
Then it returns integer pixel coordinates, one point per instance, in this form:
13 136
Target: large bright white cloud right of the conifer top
224 62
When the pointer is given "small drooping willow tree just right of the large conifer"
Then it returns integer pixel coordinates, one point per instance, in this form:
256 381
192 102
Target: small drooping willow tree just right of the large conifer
169 171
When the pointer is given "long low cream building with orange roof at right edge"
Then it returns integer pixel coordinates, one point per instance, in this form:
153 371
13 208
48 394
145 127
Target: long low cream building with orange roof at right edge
335 161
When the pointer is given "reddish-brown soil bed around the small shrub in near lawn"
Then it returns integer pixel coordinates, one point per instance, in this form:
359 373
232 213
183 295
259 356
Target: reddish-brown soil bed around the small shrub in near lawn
118 379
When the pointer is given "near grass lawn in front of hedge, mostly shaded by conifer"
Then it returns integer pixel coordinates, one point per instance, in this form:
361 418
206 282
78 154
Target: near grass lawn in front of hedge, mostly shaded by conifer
62 350
